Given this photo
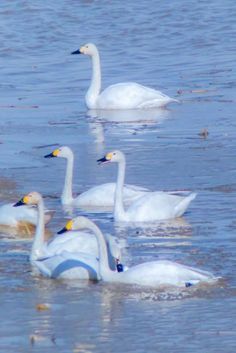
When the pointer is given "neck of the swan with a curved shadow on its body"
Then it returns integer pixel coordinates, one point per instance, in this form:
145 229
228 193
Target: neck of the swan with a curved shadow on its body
37 247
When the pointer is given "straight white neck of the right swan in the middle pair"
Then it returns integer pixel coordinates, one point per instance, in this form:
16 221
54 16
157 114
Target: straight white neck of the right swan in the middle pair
119 211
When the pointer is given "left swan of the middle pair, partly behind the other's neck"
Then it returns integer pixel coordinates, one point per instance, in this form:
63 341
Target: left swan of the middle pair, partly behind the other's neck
98 196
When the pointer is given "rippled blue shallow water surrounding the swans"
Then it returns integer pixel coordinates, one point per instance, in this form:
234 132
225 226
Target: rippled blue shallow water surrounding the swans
187 50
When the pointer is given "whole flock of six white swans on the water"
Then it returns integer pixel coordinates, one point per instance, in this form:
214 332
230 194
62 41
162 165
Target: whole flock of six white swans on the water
80 250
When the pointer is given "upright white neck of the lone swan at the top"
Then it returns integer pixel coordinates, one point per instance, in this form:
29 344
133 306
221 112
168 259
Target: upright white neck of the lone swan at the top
95 86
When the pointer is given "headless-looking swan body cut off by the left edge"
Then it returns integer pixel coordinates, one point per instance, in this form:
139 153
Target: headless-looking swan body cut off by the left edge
22 221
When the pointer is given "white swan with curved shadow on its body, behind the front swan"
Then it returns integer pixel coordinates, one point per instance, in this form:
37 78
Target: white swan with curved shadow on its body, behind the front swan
73 256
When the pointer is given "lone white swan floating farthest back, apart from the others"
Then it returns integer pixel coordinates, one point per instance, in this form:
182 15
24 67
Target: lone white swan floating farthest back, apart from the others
126 95
